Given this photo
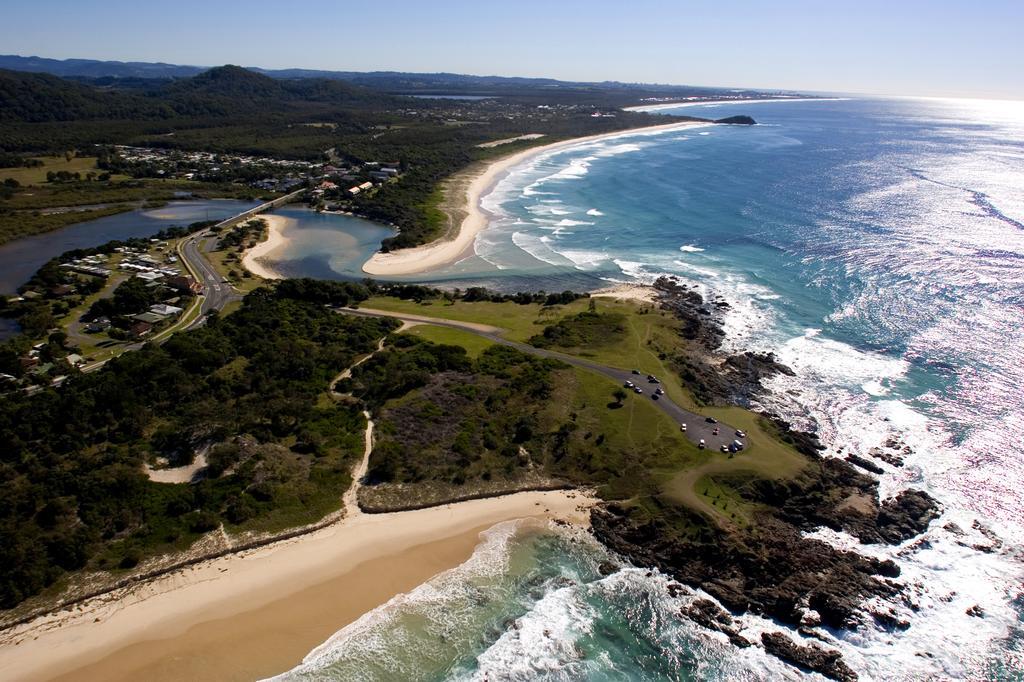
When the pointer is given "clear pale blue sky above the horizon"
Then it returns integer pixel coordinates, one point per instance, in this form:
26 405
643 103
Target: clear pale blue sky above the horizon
940 48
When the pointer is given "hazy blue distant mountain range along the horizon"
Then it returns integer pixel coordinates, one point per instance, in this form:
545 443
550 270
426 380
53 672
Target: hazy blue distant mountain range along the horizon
137 74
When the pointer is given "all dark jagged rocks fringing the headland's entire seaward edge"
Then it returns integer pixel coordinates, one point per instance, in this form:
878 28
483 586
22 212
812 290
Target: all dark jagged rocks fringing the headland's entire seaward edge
771 567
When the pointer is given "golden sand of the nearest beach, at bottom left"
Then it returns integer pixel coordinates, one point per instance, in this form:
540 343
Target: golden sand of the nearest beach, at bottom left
259 614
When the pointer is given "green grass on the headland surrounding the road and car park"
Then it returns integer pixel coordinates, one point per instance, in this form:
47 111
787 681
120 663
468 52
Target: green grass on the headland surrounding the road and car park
674 471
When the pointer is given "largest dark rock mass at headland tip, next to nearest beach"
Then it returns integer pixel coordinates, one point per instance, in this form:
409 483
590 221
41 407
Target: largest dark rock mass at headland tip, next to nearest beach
772 568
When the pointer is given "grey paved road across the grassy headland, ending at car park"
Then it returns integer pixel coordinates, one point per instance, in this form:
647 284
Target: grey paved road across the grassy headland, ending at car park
697 428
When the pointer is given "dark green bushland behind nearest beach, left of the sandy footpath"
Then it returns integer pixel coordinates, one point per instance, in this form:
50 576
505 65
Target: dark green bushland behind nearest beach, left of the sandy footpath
244 392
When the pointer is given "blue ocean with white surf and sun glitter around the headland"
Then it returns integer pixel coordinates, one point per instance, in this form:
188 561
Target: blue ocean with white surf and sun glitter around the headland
877 246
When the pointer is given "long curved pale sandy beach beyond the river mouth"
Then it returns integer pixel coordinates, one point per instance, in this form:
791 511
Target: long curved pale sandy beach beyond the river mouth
454 248
